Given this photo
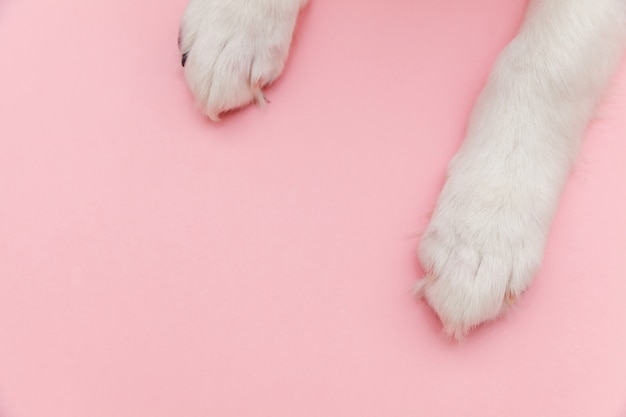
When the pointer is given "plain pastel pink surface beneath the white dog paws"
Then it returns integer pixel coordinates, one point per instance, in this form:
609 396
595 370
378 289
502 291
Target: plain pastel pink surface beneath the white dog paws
154 264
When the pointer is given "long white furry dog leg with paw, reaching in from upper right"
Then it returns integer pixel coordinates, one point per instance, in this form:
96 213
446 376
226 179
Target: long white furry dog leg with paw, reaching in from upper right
486 238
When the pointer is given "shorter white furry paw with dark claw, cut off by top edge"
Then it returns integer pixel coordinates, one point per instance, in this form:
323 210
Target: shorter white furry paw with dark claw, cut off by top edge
233 48
